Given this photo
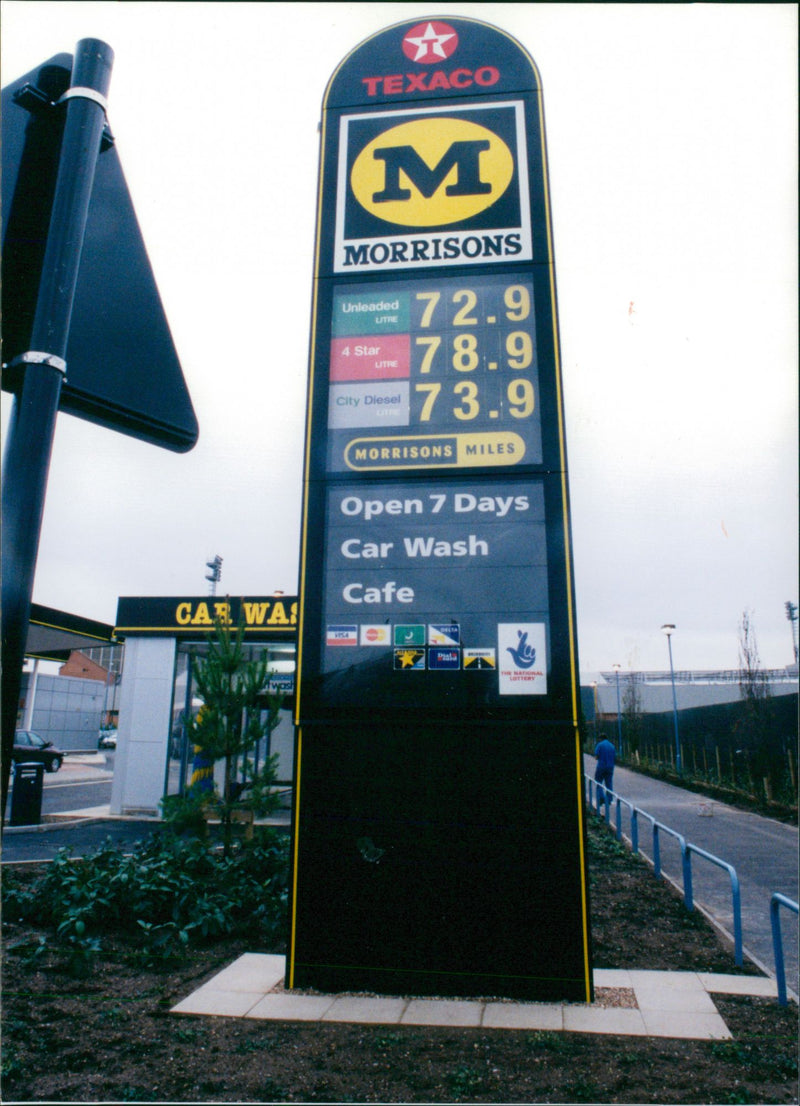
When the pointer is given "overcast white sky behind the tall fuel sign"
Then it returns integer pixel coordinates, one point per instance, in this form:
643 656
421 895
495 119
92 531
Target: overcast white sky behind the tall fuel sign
672 133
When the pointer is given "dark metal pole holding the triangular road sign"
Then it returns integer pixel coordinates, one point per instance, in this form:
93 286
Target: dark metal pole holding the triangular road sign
33 426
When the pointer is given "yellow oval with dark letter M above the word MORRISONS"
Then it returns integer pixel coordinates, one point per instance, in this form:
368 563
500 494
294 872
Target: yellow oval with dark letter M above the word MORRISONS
432 172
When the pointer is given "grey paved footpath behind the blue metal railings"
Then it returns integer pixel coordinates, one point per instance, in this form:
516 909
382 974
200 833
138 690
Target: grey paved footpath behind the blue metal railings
763 851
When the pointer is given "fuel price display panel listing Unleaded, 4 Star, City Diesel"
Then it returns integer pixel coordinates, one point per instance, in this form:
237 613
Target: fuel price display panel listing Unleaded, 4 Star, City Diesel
434 374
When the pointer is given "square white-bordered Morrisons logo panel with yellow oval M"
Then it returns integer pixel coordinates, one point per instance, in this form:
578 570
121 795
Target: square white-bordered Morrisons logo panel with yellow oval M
432 187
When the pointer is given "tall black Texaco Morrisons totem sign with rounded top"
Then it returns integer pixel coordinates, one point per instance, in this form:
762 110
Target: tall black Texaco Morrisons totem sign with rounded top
438 654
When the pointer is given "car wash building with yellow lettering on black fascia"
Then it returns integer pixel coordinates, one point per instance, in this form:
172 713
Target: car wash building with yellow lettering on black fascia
163 638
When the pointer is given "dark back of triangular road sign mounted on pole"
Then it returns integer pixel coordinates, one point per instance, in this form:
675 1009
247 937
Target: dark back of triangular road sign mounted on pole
122 368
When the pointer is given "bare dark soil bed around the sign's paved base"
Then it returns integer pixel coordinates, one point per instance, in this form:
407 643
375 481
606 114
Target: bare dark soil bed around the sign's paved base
110 1038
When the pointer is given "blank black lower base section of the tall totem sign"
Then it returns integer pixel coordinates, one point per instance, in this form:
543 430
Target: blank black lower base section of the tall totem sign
435 862
